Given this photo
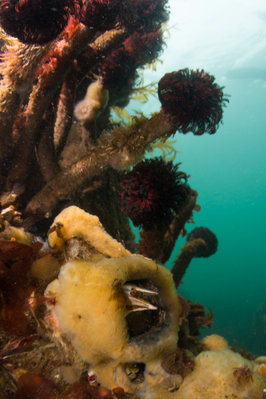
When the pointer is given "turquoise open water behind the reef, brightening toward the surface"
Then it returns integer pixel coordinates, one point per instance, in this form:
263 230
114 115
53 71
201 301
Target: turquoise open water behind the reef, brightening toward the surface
227 169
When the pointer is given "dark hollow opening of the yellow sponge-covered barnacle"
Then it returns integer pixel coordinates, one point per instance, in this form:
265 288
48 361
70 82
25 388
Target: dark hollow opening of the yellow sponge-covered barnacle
141 322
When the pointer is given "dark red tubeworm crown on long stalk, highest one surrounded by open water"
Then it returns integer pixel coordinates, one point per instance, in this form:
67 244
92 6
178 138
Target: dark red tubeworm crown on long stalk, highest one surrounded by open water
192 101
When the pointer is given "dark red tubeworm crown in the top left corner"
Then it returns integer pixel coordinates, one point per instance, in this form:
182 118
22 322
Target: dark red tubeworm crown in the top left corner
34 21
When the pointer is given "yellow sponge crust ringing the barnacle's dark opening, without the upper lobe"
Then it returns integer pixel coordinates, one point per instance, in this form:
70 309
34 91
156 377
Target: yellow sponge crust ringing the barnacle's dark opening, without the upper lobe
91 308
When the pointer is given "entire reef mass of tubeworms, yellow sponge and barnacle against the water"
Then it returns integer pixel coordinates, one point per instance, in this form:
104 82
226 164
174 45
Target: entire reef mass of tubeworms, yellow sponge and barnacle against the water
86 311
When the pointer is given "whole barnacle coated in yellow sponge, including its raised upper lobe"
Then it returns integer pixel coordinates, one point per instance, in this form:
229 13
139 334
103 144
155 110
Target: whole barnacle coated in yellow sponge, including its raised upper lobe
112 305
